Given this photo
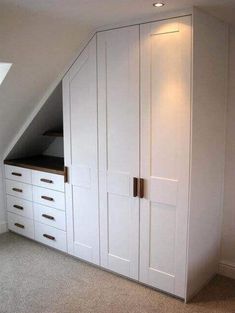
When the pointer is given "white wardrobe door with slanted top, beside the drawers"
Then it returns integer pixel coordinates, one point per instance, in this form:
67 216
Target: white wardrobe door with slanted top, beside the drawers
81 156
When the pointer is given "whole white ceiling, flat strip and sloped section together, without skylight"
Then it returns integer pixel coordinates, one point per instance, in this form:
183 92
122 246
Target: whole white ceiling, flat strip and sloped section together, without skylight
41 37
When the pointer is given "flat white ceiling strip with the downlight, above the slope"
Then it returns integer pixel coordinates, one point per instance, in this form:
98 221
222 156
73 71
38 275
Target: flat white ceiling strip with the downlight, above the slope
102 12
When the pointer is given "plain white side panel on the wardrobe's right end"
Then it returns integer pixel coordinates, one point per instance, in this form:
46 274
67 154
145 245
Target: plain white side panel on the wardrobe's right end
208 146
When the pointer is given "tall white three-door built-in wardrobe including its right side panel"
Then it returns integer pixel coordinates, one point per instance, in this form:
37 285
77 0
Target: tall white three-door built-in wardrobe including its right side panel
144 110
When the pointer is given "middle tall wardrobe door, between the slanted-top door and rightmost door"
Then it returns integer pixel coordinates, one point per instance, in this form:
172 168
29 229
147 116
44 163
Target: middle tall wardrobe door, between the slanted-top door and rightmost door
118 99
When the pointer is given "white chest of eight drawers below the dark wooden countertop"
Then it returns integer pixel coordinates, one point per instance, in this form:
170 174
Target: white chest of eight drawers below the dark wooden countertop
36 205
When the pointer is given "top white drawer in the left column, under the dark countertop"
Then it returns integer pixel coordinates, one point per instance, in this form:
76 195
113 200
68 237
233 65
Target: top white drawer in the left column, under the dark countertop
18 173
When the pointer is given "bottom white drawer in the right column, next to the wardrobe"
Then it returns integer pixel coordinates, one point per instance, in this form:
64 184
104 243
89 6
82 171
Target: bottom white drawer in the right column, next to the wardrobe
51 236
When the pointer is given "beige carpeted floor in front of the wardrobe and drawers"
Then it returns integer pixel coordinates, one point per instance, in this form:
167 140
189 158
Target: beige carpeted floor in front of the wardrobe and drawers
36 279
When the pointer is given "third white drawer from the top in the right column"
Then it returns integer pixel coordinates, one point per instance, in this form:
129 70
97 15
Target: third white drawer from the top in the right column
49 216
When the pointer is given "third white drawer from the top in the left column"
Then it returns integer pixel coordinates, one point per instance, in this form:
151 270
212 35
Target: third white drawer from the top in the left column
20 206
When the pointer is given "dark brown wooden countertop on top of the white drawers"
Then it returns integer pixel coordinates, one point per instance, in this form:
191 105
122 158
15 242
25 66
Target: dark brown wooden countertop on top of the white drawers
42 163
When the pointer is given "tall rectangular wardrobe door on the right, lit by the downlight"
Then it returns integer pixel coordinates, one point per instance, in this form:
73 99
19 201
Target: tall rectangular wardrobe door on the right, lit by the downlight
165 149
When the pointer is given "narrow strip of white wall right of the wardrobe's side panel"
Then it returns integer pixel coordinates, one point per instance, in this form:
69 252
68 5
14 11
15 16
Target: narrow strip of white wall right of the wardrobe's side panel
227 266
